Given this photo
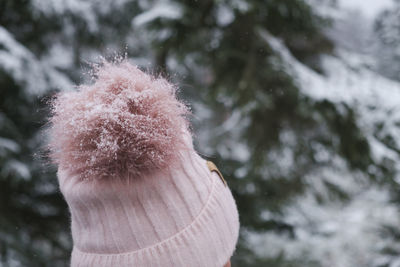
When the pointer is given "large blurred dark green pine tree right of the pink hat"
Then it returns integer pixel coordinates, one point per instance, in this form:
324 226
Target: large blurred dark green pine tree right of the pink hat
261 130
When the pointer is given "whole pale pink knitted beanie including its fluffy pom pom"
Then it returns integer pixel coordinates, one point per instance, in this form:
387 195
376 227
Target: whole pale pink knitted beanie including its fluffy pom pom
138 192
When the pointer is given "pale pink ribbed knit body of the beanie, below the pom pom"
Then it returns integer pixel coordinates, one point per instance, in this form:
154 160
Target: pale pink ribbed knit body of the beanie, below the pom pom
179 217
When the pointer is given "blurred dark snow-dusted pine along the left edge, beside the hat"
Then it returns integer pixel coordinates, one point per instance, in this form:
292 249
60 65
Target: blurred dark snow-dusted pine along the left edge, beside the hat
33 214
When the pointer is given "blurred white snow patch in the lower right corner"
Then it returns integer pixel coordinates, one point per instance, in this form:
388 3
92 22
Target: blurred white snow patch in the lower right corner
336 235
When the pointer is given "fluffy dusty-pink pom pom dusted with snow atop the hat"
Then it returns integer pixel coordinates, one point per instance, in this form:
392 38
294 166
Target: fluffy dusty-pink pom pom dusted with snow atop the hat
126 122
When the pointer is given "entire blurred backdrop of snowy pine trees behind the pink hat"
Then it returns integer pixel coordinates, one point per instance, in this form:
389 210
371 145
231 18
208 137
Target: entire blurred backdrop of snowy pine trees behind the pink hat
297 101
